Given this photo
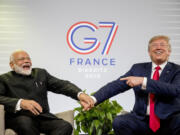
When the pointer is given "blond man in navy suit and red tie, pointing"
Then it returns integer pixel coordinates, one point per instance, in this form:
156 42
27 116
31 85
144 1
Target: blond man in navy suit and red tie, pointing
156 86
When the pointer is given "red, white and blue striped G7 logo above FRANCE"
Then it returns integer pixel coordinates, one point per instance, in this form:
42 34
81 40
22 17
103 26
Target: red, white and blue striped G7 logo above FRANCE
94 42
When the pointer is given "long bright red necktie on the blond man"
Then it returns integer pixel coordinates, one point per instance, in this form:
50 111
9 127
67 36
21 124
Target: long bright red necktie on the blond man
154 121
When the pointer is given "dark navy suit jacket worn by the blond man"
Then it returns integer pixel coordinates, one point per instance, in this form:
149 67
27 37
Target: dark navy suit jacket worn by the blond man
166 89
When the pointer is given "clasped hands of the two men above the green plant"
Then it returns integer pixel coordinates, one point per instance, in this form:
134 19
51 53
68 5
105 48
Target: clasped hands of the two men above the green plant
86 101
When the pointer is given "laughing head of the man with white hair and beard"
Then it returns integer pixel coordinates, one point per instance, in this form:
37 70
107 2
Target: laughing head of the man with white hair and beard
20 62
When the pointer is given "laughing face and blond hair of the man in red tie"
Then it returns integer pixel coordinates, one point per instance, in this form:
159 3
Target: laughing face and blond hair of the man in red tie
159 50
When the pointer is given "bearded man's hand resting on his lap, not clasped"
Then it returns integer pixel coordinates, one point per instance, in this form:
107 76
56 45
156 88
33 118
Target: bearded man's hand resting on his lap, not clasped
31 105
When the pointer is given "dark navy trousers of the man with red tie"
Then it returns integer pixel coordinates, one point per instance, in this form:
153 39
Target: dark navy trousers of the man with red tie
129 124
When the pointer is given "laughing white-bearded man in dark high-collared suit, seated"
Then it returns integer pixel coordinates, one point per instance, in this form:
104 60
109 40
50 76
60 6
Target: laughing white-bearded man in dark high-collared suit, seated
23 92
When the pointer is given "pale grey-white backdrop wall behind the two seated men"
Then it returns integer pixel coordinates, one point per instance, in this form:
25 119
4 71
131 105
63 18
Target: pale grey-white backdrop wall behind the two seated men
40 27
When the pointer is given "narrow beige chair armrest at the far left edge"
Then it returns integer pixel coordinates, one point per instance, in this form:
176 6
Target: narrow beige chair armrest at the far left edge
2 121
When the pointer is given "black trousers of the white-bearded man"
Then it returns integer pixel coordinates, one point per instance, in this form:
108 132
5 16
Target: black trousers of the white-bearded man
26 125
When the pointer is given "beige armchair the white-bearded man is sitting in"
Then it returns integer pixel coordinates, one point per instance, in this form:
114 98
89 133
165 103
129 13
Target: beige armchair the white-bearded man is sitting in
67 115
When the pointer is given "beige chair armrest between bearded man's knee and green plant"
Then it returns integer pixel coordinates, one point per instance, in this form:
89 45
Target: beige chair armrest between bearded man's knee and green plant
67 115
